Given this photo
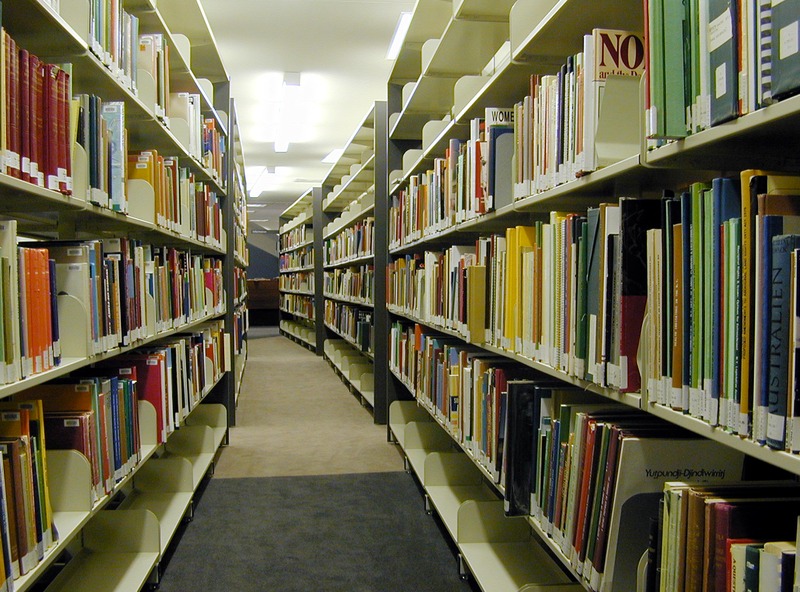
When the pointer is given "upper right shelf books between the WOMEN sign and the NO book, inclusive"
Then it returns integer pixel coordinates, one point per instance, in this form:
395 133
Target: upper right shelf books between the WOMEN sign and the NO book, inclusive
556 125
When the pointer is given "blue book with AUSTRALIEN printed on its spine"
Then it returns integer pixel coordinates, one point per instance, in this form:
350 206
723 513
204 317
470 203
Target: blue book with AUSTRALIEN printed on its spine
780 312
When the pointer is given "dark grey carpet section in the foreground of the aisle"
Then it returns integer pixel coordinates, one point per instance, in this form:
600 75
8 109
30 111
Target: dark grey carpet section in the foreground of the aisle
365 532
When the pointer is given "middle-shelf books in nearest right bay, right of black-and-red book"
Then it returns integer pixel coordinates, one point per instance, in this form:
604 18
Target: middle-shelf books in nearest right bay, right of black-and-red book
723 260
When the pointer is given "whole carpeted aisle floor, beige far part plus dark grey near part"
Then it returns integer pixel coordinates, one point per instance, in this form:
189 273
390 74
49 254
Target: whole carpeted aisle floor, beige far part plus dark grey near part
308 495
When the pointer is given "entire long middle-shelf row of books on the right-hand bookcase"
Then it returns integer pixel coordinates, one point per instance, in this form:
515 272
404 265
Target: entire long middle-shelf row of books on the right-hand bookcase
709 269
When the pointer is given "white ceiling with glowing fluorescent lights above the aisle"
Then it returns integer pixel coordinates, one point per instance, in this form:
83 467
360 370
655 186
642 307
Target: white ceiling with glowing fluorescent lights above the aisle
338 47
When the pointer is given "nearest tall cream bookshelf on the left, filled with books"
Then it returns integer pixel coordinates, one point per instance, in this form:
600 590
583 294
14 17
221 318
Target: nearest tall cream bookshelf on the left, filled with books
140 277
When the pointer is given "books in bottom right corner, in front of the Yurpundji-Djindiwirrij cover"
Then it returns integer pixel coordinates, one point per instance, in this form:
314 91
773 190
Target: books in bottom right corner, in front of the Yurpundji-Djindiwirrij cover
723 536
